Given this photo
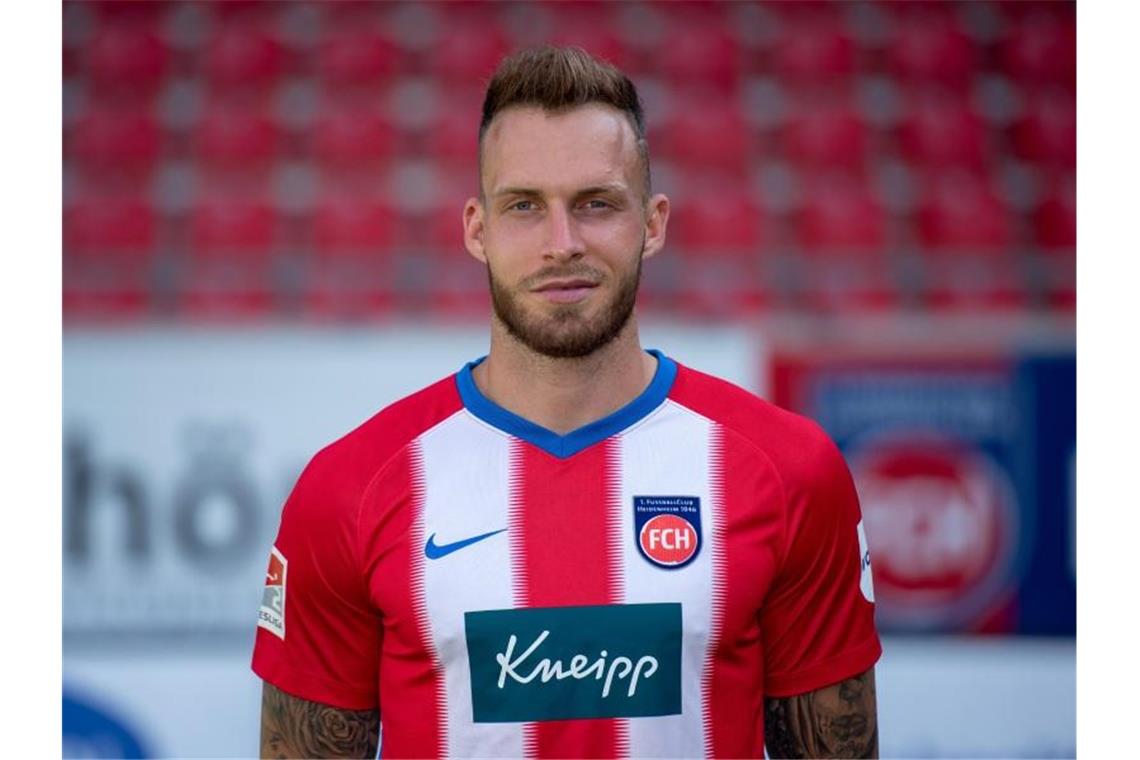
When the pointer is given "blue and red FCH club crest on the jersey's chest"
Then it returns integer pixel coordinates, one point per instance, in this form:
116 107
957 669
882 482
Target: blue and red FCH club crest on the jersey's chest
669 529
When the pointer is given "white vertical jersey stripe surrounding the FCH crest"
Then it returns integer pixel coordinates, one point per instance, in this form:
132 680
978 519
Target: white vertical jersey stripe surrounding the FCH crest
670 455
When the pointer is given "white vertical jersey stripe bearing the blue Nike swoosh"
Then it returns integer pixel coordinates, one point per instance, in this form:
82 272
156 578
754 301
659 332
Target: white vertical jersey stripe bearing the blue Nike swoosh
460 504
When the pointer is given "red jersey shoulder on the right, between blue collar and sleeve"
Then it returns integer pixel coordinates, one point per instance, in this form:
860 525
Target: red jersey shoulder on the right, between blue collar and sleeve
797 447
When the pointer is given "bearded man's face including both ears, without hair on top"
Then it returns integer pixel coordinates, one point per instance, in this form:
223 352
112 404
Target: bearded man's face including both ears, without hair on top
564 226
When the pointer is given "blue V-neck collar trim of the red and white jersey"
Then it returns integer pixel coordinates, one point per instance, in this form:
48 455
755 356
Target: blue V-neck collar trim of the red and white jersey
575 442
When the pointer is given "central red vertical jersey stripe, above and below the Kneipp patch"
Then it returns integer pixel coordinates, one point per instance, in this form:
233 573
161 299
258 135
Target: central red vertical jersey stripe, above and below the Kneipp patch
563 516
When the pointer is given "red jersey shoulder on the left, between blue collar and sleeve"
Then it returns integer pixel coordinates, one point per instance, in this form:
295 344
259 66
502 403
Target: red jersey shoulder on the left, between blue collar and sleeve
341 471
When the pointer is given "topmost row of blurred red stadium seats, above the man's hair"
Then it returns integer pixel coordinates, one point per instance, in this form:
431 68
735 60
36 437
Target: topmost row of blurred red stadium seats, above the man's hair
248 46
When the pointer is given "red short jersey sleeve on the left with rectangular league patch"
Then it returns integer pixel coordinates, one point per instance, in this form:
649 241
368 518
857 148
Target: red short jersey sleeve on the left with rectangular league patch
319 638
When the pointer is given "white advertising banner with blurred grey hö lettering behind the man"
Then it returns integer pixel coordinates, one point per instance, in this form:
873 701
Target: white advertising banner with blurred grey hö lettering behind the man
182 445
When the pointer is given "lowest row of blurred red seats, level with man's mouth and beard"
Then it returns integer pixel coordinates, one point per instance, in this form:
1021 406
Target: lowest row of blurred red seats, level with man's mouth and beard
450 285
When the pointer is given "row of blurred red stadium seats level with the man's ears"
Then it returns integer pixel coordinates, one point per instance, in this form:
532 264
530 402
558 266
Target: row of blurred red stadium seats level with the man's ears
957 213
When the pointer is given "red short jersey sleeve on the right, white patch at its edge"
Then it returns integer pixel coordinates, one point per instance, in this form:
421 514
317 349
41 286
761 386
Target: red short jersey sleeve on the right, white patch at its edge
818 619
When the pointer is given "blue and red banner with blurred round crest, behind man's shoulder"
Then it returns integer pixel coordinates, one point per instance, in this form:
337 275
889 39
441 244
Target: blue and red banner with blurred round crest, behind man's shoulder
966 473
